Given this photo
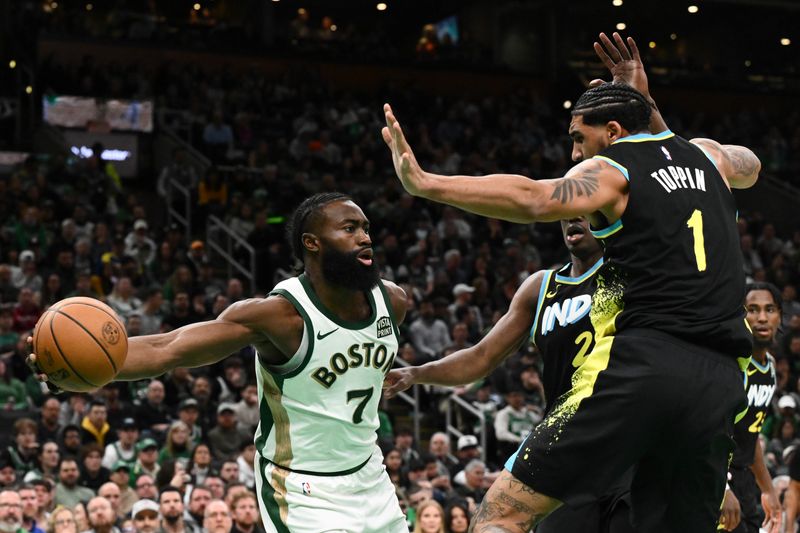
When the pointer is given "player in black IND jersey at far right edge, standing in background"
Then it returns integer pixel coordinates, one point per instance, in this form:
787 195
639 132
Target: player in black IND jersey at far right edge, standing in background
749 476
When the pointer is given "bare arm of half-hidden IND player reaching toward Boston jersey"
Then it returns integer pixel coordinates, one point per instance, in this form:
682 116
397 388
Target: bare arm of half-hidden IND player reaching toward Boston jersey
475 362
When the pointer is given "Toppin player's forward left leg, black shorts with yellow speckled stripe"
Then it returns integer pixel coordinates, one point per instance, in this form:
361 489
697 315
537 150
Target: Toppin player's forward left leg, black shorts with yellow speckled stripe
596 432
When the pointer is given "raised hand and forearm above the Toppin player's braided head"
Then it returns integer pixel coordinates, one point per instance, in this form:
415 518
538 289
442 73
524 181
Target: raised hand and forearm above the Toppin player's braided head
625 65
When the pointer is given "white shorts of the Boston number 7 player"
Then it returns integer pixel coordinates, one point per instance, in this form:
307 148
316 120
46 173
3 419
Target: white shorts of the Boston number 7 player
362 502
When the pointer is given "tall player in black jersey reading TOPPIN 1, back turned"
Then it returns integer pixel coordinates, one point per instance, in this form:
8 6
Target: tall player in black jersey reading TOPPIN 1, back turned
660 389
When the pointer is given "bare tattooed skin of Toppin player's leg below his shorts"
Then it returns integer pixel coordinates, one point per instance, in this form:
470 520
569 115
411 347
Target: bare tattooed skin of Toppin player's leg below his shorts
510 506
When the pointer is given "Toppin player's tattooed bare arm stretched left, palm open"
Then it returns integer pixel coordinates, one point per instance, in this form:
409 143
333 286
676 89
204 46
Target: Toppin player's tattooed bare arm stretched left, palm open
588 187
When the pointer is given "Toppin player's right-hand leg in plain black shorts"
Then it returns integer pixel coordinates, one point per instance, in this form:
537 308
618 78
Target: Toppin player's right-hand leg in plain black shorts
680 484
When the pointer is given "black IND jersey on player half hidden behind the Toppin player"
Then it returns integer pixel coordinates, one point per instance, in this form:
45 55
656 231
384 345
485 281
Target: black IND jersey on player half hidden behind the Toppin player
562 330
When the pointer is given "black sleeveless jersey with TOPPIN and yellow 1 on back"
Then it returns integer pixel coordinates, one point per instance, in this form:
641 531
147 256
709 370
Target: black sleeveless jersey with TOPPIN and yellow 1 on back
672 262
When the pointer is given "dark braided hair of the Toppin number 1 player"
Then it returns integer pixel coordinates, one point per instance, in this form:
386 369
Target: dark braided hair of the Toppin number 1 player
614 101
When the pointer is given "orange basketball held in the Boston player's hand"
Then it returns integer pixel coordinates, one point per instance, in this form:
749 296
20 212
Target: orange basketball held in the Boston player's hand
80 343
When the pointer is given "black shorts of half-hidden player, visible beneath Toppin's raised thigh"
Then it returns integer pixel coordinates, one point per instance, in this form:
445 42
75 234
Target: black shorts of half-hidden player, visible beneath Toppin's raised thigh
608 514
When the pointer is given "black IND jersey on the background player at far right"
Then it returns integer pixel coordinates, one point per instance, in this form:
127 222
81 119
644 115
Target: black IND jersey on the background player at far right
761 384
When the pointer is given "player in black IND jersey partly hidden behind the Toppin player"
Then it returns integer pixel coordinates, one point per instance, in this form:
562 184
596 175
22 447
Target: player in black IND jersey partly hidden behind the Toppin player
551 308
